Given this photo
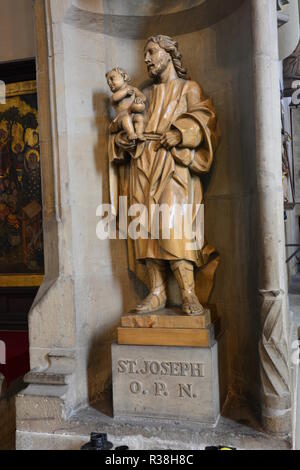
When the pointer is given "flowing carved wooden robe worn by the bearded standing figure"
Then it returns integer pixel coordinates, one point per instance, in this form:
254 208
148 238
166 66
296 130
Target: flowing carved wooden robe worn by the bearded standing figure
150 174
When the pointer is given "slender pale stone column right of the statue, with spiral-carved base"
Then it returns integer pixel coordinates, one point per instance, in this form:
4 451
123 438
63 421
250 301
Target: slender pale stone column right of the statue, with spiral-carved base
273 346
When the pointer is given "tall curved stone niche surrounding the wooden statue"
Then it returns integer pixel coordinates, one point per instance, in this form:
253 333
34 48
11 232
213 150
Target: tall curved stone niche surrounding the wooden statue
88 285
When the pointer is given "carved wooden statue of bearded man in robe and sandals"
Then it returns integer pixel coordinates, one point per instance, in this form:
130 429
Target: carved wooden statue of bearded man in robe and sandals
181 138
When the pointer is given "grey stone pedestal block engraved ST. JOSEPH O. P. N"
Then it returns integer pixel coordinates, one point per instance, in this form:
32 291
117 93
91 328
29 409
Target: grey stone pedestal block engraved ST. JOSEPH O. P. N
166 382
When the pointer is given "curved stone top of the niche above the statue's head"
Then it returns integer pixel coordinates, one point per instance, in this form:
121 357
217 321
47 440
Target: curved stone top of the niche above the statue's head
139 19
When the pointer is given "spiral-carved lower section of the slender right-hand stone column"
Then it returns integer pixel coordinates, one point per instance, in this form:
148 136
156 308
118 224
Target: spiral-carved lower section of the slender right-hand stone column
274 367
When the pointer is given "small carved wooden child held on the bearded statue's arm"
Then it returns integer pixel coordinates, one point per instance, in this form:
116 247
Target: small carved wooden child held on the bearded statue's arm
129 103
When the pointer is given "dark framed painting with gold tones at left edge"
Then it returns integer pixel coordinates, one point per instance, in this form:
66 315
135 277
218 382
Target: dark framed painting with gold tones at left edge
21 229
